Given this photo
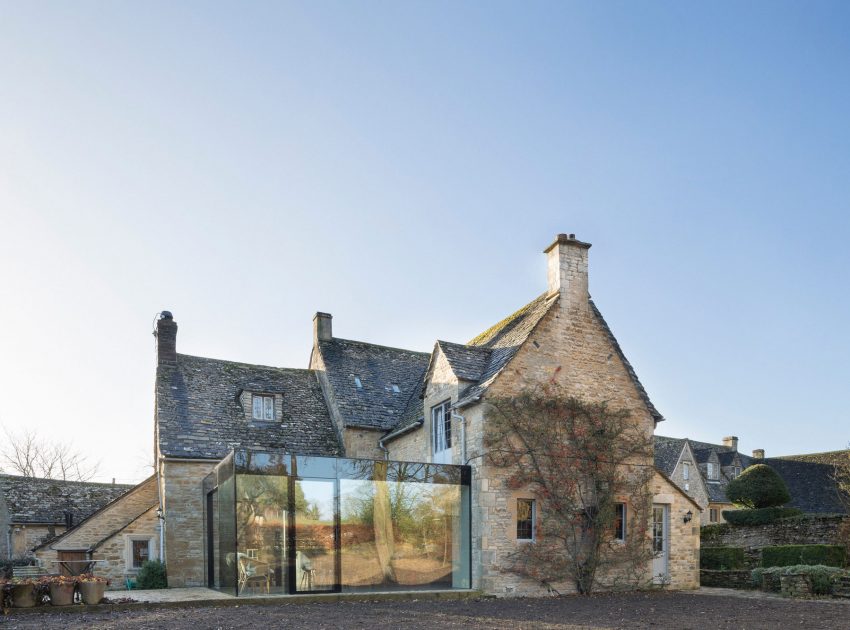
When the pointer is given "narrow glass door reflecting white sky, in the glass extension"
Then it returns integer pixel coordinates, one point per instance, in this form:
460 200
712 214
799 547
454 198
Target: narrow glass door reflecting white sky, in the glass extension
315 535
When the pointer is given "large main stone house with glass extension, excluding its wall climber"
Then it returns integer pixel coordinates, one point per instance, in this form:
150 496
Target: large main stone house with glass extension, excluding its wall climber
229 435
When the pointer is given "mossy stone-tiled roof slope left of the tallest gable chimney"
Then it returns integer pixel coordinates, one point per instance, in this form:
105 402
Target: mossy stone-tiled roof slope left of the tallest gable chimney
503 340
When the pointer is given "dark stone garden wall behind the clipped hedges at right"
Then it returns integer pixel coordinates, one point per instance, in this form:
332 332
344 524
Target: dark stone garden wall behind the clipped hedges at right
813 530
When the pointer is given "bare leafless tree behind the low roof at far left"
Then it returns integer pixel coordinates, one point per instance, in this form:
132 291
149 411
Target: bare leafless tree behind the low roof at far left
30 455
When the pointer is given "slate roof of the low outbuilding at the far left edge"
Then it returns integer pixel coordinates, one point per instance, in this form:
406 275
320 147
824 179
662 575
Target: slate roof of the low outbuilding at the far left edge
45 501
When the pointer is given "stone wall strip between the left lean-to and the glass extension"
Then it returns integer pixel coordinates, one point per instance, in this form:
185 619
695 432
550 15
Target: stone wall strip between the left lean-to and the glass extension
183 502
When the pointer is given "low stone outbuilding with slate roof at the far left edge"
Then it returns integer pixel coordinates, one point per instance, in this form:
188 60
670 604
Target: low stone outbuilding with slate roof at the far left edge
33 510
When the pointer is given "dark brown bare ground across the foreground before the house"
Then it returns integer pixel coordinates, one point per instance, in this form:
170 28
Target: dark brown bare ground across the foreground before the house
656 610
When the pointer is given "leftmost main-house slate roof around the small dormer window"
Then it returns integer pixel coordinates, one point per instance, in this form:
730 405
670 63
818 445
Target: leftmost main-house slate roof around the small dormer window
199 414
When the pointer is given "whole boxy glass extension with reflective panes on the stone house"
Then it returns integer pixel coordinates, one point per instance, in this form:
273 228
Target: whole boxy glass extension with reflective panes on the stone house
282 523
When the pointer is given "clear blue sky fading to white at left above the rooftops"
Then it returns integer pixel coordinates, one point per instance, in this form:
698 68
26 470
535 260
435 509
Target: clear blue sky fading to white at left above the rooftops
402 165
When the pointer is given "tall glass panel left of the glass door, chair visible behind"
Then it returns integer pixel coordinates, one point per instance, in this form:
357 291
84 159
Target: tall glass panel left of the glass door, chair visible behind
261 519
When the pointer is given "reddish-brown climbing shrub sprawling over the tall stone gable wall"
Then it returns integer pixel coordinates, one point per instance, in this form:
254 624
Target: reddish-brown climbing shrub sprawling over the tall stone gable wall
580 460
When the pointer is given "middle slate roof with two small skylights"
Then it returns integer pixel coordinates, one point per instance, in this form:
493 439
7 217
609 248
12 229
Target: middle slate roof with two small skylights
375 404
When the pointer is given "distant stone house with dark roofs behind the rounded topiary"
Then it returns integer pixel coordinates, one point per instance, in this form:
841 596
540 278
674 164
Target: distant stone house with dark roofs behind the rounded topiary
703 471
